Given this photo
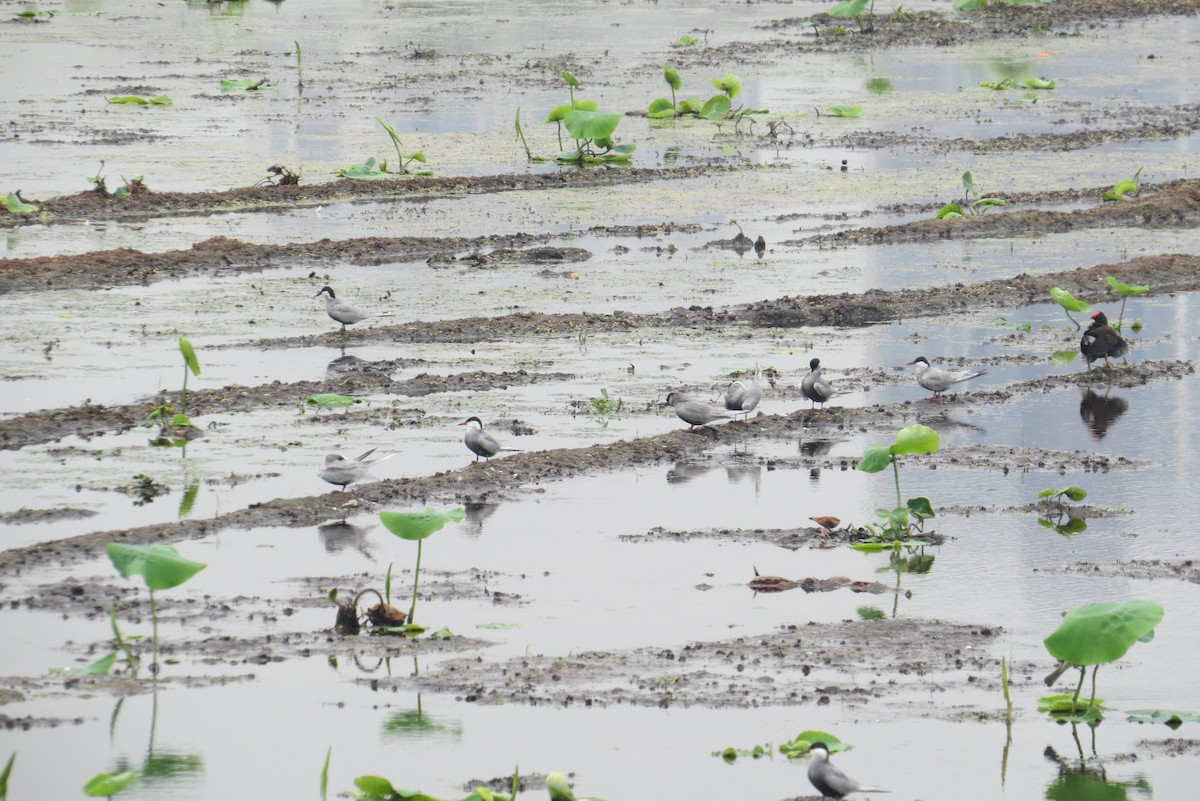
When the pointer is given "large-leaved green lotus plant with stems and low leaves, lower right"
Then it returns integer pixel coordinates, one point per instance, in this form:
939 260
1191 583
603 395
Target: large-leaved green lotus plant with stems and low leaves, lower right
1095 635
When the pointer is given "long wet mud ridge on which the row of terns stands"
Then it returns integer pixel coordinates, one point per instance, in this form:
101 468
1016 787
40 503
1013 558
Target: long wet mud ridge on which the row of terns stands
525 473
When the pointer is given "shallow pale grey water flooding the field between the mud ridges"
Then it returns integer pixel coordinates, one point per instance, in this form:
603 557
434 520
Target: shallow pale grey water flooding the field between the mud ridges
577 552
